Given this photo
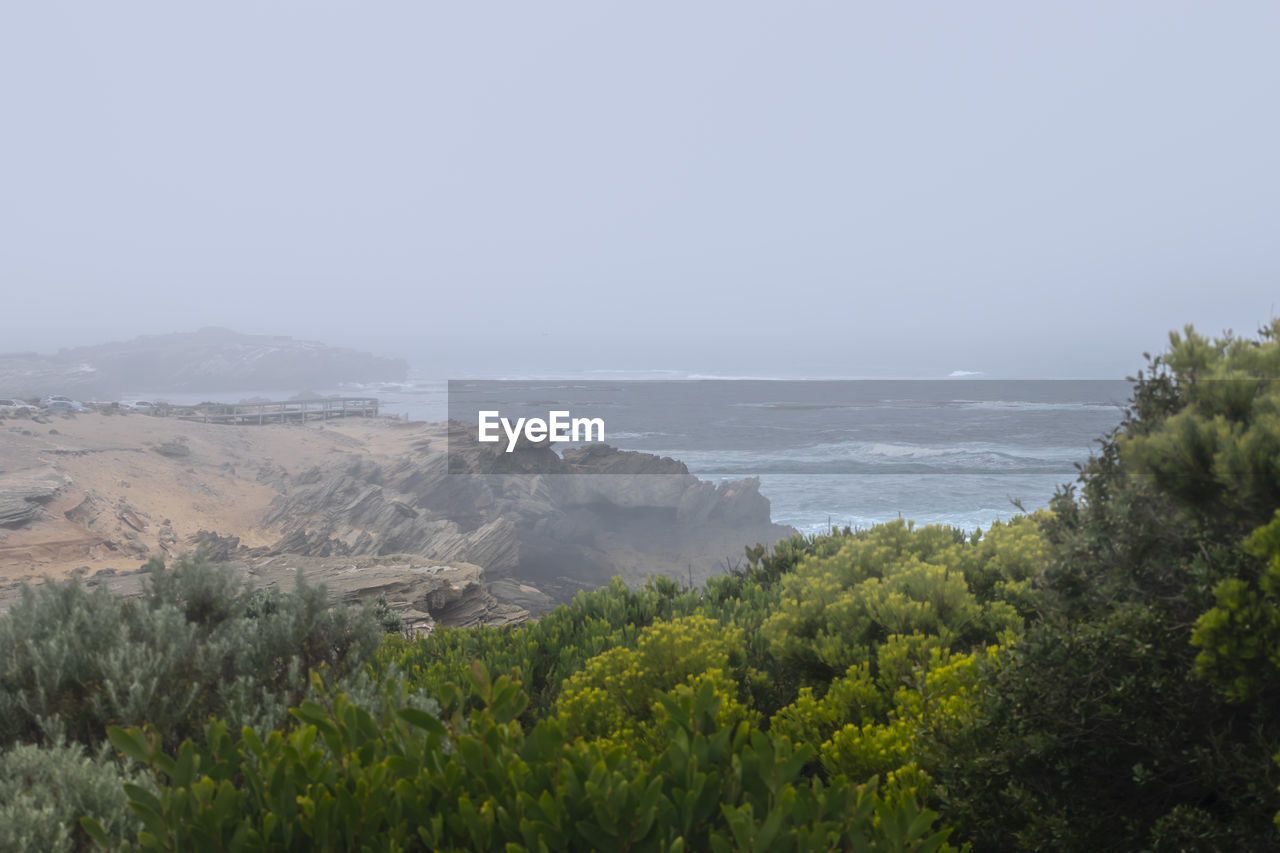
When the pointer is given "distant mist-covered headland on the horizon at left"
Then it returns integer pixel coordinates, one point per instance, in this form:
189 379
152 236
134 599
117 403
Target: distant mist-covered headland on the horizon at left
209 361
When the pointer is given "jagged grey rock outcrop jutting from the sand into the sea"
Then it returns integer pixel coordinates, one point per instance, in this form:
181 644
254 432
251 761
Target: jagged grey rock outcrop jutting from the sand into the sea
560 523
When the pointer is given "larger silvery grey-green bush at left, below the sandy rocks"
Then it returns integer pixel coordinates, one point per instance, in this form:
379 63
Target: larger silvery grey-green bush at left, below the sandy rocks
195 645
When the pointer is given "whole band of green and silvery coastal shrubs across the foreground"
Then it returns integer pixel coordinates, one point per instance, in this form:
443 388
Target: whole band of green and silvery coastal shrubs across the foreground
1099 676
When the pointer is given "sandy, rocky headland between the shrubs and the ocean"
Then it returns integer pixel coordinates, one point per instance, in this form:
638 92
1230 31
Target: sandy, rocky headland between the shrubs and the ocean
367 507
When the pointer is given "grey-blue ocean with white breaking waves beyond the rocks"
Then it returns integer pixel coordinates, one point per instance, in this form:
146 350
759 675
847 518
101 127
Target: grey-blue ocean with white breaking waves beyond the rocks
963 453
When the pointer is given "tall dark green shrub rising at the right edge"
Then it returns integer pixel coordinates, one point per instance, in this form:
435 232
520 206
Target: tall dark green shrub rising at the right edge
1140 713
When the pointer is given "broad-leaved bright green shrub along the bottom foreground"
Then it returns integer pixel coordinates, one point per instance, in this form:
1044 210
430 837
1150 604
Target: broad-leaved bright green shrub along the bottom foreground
477 782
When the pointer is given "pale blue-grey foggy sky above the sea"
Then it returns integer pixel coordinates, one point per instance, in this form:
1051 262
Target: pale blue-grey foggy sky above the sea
728 189
